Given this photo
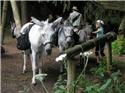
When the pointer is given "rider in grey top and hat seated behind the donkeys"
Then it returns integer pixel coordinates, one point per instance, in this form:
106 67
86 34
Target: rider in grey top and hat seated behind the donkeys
75 19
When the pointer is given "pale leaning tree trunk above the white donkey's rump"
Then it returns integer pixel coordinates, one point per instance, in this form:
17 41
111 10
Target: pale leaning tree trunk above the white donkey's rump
16 15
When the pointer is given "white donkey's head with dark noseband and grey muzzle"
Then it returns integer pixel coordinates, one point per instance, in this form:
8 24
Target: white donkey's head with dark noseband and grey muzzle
48 34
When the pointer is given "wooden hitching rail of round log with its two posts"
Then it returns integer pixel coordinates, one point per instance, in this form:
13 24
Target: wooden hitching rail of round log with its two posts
71 52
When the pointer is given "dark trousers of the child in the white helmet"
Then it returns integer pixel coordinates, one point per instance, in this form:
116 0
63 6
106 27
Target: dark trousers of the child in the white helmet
99 51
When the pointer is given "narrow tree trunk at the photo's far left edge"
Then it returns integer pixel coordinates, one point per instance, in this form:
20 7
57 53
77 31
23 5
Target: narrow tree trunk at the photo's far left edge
3 20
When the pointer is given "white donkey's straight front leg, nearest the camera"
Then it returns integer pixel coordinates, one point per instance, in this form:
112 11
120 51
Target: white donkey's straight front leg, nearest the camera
33 66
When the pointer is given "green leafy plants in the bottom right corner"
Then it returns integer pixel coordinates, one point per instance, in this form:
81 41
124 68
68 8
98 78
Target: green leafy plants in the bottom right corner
111 85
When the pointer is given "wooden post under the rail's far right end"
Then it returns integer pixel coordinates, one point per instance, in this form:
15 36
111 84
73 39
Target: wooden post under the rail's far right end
109 56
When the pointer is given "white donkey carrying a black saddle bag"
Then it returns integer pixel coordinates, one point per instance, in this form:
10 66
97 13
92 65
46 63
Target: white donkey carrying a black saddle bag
40 37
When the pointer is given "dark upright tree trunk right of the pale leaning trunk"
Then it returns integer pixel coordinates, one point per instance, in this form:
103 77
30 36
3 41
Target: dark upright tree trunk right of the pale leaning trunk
23 12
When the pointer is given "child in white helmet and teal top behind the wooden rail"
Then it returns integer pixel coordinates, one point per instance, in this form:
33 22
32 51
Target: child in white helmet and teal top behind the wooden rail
99 51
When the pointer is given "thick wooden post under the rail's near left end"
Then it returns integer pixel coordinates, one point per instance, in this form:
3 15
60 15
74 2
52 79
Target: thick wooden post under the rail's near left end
70 75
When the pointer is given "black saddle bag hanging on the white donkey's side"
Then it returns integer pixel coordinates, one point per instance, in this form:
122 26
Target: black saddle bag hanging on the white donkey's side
23 42
